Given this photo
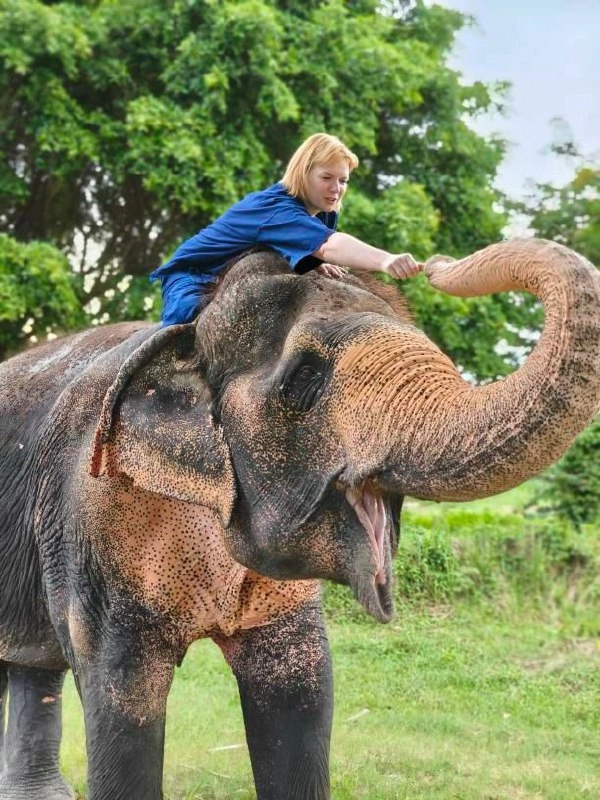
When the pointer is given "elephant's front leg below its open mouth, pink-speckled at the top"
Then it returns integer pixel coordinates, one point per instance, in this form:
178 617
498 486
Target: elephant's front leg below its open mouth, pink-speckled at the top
285 682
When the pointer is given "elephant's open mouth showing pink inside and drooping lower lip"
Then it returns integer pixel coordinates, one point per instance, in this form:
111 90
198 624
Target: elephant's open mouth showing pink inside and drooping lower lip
372 587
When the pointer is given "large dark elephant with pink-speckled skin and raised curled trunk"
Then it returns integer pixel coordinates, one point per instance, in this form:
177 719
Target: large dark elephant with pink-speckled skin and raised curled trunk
159 485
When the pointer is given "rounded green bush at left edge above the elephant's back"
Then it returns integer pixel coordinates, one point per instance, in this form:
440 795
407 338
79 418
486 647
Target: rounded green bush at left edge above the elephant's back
37 294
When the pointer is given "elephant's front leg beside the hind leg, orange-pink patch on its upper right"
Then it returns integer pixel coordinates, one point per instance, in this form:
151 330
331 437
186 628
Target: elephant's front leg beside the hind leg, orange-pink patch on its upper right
124 694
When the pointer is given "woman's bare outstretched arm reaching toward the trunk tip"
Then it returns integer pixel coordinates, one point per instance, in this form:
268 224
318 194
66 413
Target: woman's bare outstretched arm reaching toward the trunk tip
347 251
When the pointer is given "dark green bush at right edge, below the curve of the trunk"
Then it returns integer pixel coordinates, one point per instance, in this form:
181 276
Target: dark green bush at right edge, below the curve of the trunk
571 488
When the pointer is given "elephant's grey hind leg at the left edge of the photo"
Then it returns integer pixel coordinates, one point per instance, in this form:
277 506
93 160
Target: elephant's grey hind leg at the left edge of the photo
32 736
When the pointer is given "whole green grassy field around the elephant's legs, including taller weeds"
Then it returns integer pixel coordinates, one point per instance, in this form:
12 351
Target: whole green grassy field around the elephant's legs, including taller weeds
486 686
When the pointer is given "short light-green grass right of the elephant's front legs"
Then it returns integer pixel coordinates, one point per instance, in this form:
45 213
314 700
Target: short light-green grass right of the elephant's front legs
460 708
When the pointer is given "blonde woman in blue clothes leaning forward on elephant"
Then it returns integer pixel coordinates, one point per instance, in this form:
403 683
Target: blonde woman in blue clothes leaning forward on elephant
296 217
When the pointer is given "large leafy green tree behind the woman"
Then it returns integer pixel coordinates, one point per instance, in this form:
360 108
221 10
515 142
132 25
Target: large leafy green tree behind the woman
126 125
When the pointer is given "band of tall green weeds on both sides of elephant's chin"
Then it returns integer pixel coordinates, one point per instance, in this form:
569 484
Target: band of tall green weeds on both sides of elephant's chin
489 558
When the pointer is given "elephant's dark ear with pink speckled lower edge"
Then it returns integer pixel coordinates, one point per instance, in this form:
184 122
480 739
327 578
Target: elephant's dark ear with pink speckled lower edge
156 426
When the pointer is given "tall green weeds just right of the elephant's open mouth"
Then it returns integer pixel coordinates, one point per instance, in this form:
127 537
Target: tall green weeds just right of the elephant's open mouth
498 559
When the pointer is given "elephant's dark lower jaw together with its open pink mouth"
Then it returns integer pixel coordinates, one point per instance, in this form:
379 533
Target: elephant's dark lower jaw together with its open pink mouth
356 550
